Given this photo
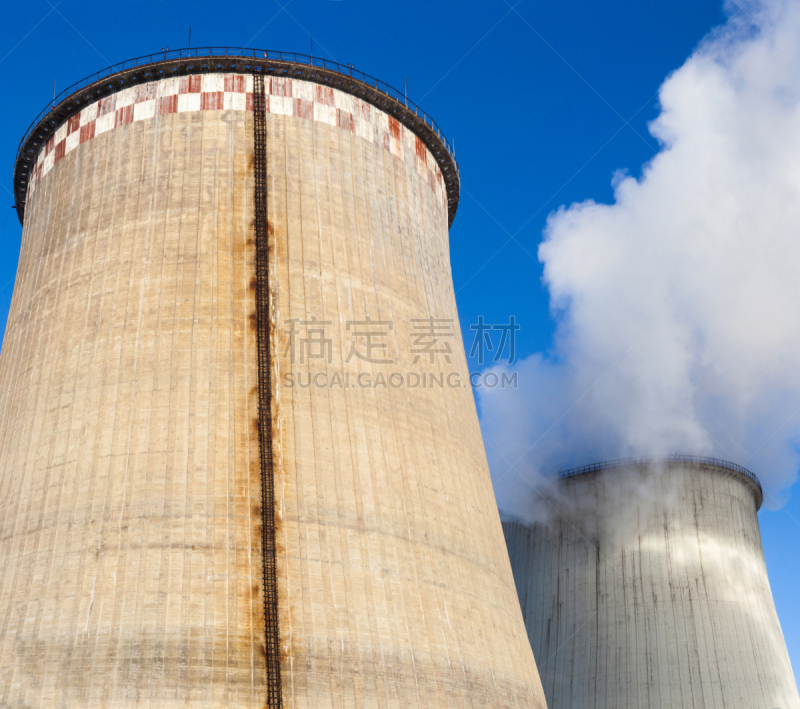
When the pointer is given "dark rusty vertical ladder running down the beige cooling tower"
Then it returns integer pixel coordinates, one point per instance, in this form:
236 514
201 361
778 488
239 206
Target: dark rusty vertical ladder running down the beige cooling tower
272 644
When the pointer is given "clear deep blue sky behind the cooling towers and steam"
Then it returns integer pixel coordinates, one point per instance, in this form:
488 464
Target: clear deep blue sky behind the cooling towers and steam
544 102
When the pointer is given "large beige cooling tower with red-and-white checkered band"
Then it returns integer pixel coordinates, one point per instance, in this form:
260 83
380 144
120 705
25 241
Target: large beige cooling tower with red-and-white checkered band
240 464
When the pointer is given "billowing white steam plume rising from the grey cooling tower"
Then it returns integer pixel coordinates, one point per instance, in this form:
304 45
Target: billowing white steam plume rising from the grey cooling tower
678 306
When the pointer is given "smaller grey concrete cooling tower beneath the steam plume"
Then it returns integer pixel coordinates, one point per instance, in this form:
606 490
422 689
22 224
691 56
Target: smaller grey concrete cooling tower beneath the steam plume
644 586
